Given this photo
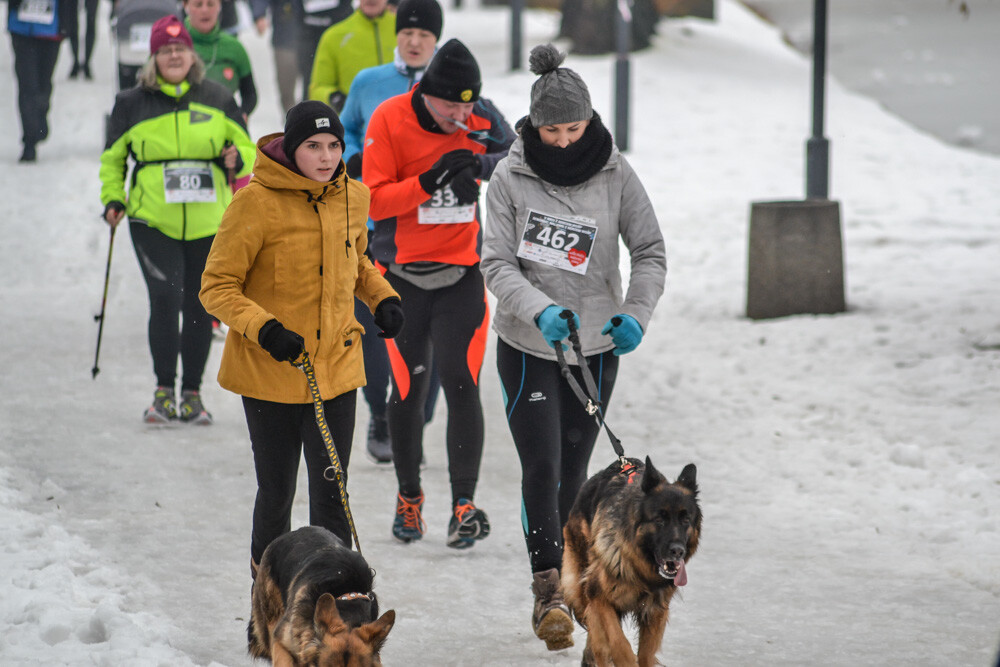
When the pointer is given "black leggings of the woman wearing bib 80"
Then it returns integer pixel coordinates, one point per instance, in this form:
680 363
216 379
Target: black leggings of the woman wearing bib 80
172 270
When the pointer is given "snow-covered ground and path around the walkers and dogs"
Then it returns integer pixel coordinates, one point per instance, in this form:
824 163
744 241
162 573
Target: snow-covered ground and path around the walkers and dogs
848 464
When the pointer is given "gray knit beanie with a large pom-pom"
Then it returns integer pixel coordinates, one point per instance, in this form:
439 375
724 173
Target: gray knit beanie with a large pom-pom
559 95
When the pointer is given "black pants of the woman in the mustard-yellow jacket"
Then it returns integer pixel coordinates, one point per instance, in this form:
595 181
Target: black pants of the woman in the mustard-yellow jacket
280 433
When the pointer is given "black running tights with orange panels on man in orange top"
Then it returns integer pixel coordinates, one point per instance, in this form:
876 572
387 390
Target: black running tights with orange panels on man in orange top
449 325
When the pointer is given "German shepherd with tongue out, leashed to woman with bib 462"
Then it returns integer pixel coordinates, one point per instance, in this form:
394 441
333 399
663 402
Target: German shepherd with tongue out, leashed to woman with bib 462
627 539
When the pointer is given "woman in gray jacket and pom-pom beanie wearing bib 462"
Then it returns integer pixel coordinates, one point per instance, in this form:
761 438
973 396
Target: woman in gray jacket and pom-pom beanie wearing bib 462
556 207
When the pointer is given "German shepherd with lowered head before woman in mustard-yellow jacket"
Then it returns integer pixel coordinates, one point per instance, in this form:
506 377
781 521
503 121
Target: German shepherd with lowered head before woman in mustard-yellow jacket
313 604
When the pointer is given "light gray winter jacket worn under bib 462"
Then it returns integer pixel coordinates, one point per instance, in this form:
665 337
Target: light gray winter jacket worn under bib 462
615 202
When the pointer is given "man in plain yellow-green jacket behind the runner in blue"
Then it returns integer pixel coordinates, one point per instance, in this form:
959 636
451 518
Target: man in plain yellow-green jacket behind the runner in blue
364 39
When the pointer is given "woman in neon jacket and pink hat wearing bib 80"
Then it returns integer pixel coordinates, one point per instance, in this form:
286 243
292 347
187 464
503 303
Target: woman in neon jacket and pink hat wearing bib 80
187 139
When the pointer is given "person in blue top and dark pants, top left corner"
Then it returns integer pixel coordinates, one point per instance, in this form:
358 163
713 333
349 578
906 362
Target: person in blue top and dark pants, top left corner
36 29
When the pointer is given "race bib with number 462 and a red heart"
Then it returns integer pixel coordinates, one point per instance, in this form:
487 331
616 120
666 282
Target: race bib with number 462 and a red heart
563 243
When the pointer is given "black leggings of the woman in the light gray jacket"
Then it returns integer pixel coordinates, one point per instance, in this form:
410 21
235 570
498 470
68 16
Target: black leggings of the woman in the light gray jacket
554 437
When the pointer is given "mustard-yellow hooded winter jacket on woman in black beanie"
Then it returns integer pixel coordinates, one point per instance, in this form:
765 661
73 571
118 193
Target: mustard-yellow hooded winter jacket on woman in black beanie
292 249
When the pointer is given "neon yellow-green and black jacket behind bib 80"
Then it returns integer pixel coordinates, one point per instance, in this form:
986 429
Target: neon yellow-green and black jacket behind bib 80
186 122
